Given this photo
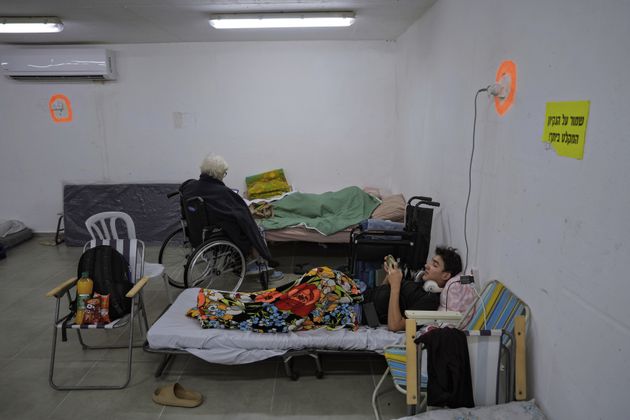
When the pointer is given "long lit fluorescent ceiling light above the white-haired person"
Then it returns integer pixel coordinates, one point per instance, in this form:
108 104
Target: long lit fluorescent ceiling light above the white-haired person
282 20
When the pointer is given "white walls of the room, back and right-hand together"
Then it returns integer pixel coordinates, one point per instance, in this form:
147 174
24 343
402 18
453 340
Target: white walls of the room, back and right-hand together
553 229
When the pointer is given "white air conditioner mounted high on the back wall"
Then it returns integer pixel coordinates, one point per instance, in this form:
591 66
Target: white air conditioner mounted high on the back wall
58 64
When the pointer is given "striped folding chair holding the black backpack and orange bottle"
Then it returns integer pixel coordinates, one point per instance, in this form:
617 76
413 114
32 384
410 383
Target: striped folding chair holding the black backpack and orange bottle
133 251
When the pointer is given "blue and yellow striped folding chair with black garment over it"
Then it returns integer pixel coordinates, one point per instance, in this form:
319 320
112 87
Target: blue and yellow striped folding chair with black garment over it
495 326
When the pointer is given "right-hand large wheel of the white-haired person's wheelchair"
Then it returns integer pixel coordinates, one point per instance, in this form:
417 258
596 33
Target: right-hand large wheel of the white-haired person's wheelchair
216 264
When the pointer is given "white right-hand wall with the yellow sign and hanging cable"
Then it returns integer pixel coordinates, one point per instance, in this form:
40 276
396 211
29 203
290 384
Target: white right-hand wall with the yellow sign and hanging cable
554 229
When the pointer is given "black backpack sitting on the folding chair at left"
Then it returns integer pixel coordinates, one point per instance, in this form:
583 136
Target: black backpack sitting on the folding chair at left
109 271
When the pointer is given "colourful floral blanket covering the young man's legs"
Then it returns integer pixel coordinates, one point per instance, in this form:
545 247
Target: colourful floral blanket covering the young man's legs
320 298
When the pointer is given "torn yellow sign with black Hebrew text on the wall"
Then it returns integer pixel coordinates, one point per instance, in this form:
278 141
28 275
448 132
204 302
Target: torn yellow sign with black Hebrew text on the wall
565 127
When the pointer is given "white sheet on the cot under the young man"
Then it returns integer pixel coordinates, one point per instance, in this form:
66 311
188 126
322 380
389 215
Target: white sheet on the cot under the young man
174 330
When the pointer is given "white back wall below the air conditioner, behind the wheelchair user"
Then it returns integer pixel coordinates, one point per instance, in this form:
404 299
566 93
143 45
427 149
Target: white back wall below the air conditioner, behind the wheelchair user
323 111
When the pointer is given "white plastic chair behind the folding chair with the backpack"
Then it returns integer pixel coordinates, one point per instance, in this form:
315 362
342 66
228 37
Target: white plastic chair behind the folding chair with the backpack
104 226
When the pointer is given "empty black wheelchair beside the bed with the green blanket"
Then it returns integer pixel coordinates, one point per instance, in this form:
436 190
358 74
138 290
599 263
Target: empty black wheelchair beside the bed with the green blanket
410 245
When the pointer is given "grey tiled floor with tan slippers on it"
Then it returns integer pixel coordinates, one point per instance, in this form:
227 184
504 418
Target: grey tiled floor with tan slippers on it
254 391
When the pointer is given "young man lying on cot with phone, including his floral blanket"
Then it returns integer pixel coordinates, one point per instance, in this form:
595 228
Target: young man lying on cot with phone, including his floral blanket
325 298
